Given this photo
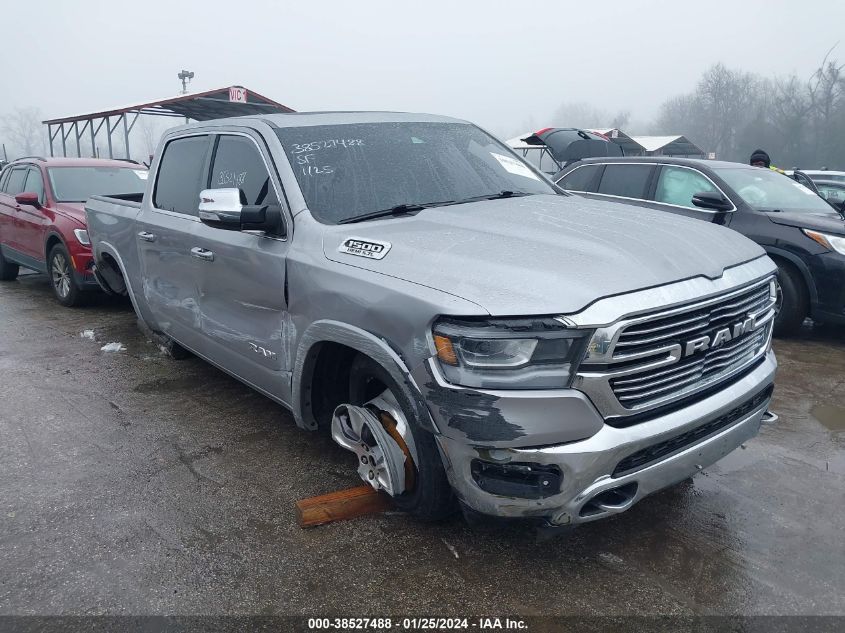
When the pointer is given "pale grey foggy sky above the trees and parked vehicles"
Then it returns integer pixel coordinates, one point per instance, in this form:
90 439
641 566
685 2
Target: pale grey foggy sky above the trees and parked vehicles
499 64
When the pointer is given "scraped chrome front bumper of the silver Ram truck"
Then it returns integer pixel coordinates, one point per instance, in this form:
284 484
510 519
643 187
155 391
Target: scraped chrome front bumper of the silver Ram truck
589 490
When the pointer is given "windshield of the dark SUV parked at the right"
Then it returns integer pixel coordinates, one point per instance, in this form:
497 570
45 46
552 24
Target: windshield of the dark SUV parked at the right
767 190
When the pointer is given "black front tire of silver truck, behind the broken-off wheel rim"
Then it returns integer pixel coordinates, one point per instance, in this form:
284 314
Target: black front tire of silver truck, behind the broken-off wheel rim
431 498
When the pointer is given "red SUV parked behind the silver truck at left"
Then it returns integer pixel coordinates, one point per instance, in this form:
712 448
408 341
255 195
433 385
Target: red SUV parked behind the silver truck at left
42 217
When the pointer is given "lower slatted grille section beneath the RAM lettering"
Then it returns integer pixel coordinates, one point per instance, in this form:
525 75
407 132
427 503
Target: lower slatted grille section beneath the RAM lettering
638 389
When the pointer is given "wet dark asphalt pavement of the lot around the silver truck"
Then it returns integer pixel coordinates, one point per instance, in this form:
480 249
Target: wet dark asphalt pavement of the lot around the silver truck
134 484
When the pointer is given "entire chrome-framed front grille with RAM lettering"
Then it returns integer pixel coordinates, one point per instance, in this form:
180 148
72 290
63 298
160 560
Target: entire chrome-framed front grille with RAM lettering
650 362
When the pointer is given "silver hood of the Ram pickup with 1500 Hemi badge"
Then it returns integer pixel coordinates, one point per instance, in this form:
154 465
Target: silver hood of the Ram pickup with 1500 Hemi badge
543 254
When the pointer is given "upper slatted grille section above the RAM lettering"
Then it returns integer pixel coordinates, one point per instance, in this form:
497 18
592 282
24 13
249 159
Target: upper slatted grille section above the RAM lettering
658 333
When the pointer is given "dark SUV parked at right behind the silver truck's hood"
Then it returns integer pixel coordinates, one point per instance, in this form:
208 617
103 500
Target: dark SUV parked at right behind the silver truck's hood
801 232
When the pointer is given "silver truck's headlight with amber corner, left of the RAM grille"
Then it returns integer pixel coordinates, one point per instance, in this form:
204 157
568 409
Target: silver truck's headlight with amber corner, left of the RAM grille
509 353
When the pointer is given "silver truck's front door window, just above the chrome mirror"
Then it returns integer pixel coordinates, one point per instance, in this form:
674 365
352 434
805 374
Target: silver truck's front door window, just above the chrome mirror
238 165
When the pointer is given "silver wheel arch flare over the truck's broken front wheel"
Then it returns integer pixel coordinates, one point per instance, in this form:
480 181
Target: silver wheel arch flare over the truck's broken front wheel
328 331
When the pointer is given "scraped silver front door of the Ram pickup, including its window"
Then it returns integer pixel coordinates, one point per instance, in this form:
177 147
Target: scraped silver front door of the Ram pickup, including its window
241 274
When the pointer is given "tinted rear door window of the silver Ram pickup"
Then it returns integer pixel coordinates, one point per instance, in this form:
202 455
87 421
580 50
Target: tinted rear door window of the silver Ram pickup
180 175
